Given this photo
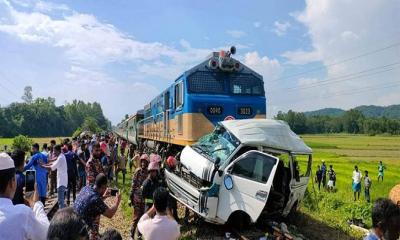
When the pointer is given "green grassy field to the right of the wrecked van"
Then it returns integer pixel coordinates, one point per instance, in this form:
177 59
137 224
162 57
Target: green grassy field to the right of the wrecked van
343 152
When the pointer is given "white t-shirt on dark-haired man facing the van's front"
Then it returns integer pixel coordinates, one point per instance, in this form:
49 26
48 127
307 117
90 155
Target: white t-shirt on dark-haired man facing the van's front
159 227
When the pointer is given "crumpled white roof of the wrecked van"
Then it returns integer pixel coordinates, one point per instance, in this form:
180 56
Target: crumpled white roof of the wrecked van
267 132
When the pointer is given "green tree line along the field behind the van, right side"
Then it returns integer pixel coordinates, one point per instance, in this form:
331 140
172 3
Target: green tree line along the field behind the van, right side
352 121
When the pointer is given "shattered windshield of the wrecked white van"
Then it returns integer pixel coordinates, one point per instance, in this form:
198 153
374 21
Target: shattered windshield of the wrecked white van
218 144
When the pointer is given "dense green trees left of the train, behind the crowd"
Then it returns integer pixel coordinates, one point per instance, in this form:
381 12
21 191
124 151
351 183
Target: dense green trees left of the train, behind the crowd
40 117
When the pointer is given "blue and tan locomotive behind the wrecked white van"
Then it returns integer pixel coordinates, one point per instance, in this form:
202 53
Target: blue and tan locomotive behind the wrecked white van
219 88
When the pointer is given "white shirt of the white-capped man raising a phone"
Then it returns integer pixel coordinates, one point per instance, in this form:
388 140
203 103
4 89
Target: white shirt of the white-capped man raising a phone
20 222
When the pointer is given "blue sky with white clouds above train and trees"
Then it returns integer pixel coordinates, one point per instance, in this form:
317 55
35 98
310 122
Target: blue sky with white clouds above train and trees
312 54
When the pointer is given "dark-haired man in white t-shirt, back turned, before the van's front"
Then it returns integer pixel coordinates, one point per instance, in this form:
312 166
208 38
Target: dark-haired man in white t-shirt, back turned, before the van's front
158 222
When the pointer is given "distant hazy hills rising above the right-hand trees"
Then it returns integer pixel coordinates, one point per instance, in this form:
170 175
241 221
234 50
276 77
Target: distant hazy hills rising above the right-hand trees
370 111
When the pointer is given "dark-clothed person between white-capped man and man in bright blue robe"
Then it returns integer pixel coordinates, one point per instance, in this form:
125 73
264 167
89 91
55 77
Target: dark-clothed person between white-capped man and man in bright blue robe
19 157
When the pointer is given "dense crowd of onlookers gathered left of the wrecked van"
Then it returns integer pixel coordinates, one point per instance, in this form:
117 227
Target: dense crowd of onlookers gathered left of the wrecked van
89 169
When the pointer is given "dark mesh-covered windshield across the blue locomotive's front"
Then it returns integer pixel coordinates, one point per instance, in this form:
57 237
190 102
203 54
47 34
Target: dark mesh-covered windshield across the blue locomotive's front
225 83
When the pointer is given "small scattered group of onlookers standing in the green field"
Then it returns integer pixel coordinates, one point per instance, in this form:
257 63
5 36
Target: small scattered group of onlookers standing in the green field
323 174
